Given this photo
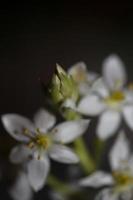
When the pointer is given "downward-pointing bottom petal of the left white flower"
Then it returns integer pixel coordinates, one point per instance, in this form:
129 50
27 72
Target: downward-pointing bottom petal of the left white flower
38 172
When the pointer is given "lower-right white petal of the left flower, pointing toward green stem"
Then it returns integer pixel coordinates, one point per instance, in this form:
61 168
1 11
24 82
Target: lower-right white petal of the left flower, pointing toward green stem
63 154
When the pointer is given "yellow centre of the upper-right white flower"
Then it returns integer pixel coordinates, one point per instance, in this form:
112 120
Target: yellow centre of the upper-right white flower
115 98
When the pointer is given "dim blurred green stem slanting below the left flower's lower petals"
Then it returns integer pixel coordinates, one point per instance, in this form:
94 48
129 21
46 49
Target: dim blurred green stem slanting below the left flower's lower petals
60 186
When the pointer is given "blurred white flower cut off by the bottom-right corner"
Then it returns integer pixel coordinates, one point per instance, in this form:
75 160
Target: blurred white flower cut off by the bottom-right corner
120 180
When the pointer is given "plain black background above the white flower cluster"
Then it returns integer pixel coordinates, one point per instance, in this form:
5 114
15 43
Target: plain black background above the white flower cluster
33 37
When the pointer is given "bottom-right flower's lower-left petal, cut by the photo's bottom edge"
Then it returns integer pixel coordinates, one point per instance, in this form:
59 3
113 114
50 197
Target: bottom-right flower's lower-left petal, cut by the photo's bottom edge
107 194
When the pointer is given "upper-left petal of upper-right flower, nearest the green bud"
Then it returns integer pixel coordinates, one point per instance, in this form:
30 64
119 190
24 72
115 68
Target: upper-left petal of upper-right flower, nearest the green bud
100 88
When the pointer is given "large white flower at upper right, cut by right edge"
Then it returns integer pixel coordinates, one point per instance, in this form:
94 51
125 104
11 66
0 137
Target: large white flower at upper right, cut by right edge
109 99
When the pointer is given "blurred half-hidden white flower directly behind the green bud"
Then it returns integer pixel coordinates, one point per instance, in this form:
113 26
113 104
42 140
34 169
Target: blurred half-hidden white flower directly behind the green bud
82 77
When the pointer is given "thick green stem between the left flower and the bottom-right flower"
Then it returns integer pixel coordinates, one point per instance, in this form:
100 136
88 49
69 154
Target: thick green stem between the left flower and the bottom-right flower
84 155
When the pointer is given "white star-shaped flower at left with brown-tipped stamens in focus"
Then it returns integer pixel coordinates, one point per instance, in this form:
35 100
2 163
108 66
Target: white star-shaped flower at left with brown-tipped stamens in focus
40 141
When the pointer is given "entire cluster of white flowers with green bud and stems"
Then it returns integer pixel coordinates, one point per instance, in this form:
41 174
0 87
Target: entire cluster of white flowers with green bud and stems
77 96
